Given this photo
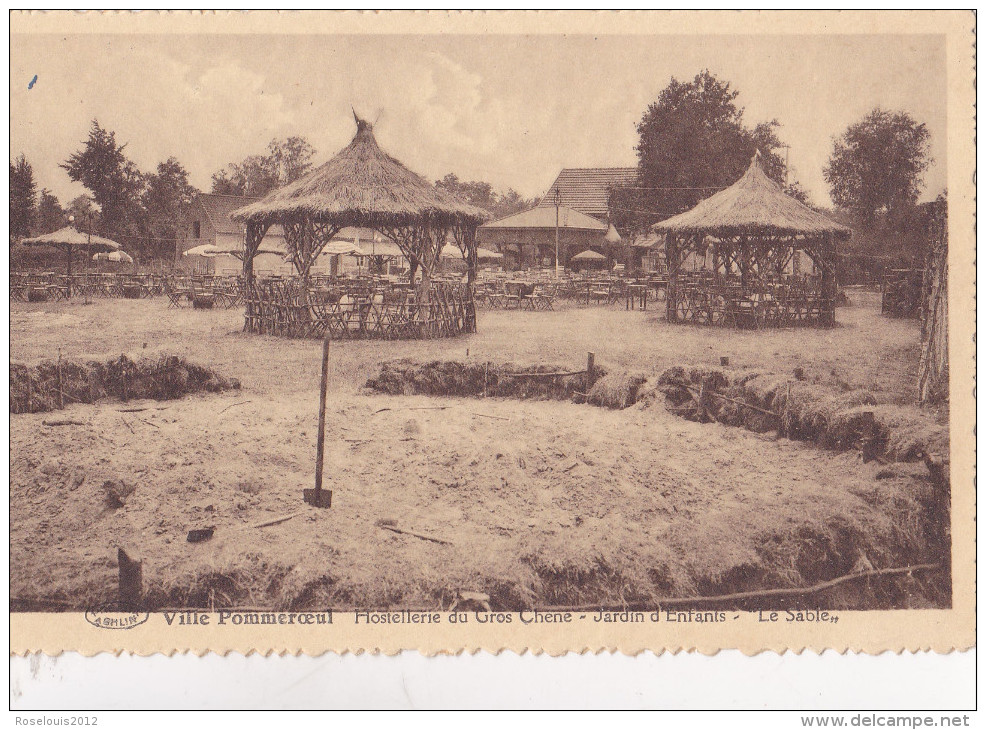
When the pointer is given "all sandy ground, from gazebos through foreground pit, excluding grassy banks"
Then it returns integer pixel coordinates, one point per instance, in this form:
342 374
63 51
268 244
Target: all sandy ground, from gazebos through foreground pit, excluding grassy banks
544 503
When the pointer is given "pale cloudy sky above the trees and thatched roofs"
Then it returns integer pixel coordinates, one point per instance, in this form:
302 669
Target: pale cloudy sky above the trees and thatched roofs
508 109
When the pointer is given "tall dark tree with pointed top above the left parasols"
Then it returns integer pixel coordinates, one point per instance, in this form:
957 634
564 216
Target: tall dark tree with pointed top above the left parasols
116 184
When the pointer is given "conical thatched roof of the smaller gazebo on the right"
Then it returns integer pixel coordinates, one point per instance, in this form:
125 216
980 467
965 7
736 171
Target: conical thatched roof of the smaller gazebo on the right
753 205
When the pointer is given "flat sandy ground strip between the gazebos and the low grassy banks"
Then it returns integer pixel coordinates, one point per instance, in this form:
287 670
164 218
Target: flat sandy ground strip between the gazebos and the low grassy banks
865 350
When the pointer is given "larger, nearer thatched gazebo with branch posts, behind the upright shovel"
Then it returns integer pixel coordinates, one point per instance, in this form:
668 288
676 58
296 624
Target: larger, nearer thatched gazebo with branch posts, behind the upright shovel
362 186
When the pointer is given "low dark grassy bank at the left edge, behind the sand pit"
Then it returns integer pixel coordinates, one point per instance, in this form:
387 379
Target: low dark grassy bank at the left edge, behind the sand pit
36 389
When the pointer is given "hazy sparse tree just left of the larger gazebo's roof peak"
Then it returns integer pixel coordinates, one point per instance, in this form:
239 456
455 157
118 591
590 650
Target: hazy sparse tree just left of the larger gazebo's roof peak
285 161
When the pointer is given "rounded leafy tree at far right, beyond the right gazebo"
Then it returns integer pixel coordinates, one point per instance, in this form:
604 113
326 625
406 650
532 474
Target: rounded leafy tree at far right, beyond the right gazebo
877 165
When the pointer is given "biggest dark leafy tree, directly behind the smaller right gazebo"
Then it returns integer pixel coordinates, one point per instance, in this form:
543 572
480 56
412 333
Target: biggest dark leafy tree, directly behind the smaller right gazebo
693 143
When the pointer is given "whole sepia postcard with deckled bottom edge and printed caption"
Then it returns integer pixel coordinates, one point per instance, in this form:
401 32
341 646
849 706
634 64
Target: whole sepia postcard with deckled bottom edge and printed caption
449 331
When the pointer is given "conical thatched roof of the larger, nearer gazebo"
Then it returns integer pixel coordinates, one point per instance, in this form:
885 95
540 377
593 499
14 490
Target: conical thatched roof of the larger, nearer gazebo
361 186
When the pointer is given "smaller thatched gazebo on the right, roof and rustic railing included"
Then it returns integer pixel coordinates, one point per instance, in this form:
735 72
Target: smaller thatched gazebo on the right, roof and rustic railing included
754 232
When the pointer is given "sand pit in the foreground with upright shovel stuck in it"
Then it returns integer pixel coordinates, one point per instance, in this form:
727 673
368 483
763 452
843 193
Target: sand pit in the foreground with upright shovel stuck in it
544 503
